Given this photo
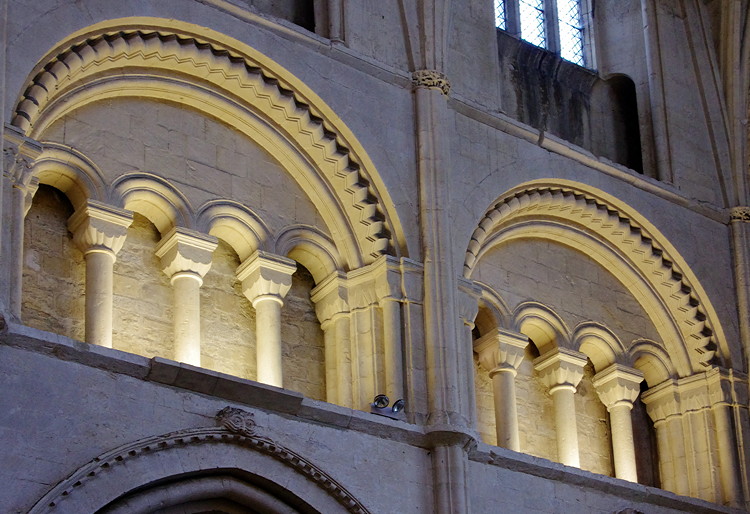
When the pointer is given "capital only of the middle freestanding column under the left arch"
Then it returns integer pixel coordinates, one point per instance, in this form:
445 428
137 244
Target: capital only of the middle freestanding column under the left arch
186 251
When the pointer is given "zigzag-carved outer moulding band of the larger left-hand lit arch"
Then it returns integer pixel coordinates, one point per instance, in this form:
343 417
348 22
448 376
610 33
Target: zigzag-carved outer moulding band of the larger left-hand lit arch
102 61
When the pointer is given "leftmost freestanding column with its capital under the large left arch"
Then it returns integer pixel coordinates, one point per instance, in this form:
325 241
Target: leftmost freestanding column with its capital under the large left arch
99 231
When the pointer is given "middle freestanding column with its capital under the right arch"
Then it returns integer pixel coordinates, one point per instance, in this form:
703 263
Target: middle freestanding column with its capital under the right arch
561 370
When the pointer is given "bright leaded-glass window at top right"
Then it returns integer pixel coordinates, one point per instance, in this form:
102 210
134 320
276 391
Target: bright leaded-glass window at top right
560 26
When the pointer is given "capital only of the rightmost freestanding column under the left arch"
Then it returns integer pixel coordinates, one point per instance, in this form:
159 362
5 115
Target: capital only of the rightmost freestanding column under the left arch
266 276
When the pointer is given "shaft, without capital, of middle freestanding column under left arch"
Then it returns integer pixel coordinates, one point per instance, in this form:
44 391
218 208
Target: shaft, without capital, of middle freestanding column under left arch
187 320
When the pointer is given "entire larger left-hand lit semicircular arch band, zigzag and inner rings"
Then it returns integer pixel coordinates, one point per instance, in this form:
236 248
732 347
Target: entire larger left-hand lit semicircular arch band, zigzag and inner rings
225 79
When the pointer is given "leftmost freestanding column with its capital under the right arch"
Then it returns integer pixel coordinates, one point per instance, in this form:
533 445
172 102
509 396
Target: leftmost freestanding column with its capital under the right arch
501 352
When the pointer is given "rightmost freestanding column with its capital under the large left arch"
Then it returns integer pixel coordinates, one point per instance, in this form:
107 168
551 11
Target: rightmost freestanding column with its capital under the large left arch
266 279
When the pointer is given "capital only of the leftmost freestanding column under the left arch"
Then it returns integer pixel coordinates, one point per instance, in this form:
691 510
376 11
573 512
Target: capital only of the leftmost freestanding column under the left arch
97 227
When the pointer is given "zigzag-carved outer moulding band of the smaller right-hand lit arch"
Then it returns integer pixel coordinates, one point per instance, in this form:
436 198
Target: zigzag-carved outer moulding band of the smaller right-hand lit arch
649 258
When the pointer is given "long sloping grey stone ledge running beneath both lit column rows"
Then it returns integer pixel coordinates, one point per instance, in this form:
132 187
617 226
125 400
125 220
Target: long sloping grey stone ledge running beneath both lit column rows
169 373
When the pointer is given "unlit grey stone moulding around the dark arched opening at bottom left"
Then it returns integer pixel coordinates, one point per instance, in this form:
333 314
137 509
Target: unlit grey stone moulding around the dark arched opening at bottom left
192 455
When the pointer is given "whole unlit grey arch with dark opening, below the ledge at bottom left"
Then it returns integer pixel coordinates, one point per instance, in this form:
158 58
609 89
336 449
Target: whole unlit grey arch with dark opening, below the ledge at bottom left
231 464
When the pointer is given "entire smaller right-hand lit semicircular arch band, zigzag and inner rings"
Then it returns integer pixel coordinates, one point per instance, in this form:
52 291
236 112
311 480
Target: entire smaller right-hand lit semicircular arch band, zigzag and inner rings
625 244
